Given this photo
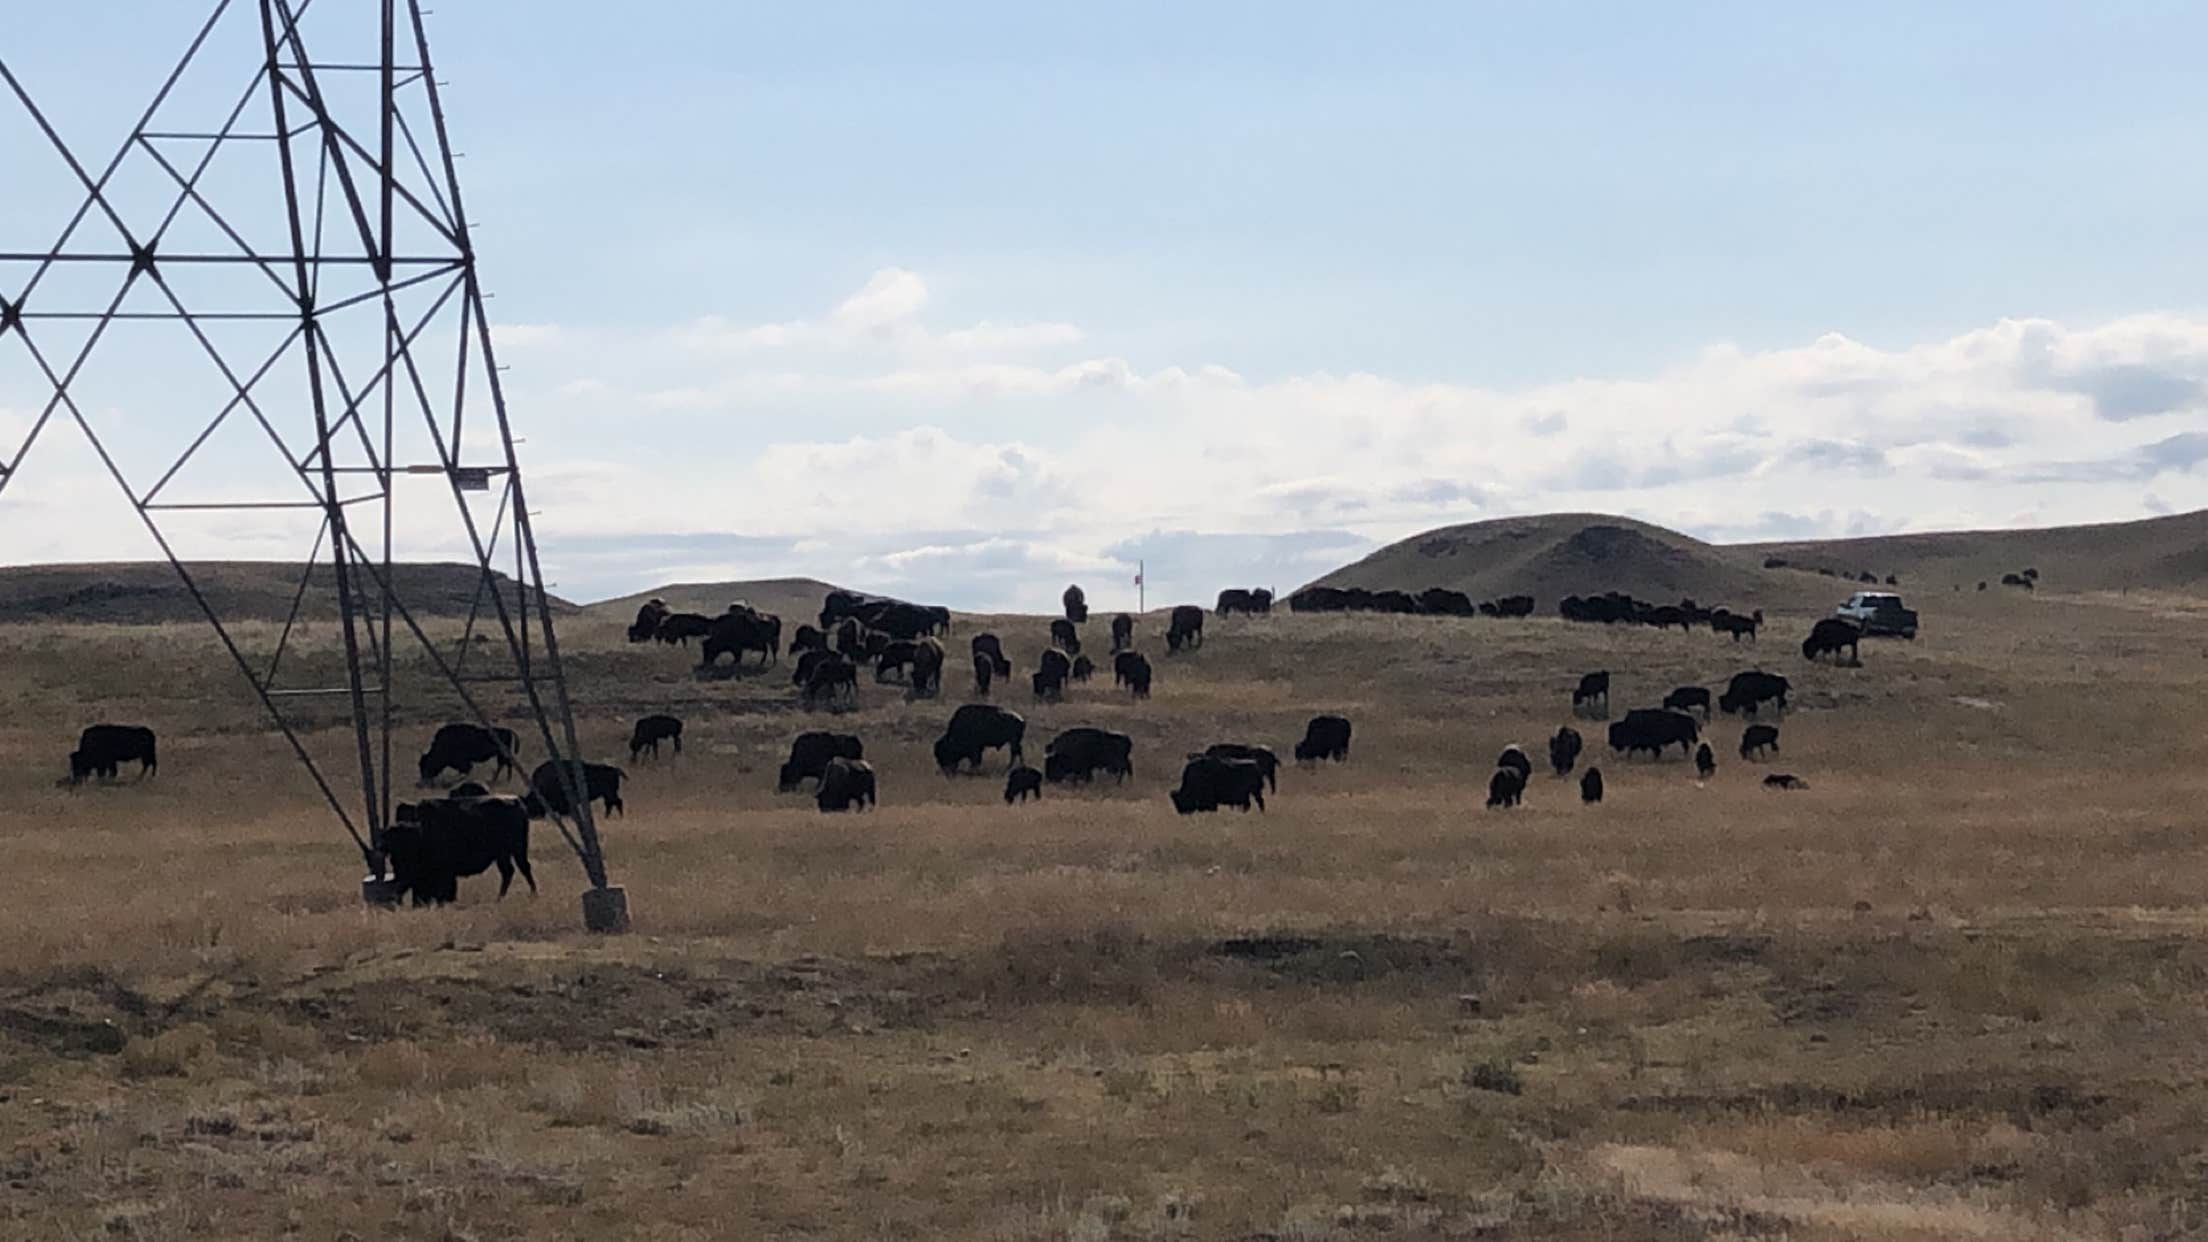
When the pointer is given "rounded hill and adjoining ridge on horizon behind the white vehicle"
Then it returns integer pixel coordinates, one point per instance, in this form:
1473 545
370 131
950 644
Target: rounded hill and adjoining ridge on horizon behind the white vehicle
1580 554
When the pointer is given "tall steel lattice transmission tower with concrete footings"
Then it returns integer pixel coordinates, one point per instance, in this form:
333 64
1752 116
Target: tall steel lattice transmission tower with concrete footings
288 218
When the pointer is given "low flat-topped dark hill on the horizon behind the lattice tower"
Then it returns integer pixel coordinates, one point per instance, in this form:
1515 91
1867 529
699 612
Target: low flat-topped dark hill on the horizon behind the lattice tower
149 593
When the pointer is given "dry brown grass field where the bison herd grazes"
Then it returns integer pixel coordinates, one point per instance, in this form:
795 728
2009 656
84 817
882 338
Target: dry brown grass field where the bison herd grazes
1955 989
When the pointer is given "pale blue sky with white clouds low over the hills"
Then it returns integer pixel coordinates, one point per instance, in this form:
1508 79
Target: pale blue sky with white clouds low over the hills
973 302
